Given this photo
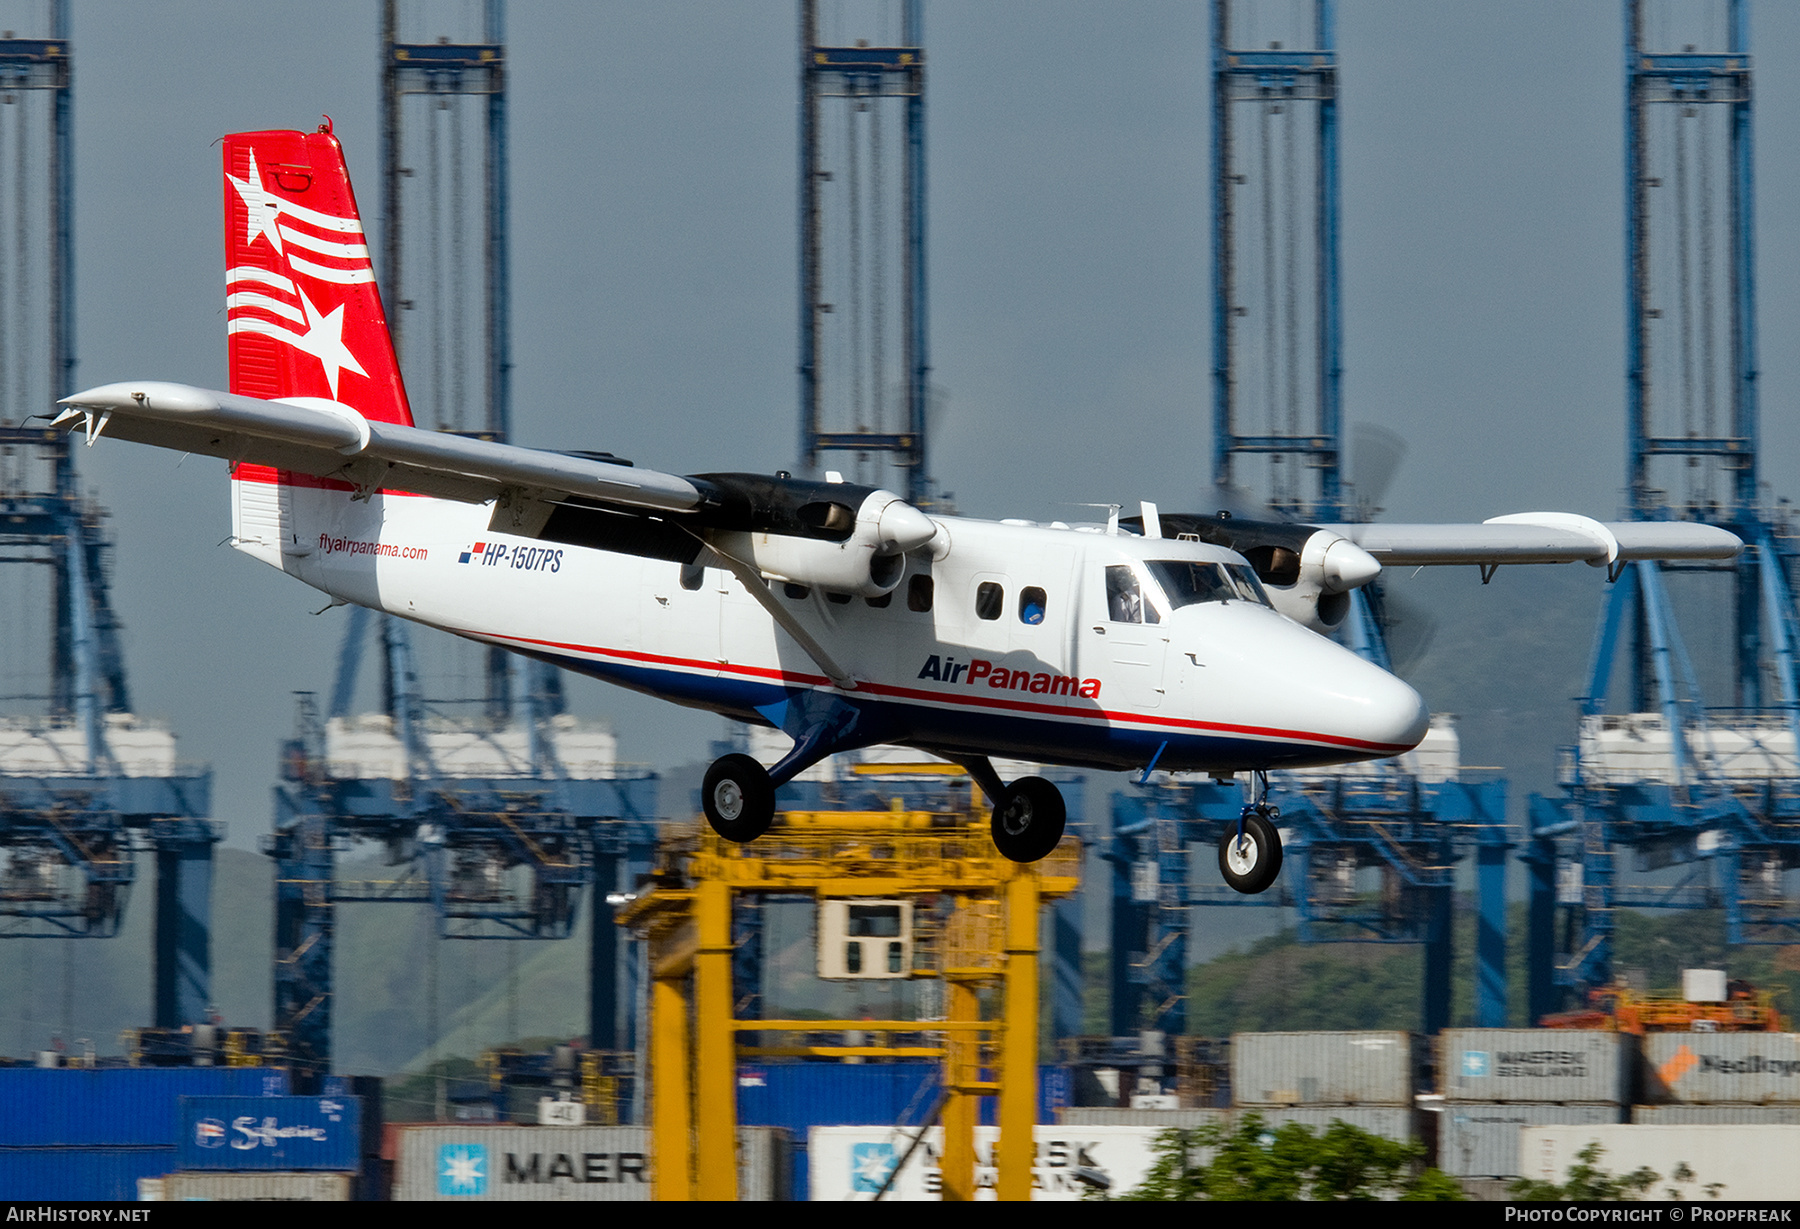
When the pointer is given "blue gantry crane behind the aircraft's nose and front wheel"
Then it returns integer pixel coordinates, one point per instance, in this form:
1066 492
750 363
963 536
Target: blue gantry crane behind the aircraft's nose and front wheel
1372 852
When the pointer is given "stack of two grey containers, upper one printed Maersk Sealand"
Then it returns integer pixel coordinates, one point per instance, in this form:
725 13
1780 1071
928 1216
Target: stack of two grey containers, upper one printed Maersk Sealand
1498 1081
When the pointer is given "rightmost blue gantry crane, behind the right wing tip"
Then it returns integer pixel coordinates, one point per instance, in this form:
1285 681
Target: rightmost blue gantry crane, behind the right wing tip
1668 798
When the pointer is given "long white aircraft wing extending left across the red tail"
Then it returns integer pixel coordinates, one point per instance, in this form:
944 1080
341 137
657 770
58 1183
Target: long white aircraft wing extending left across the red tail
332 442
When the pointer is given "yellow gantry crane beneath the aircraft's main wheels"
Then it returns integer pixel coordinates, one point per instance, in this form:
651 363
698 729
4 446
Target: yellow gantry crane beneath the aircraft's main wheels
987 915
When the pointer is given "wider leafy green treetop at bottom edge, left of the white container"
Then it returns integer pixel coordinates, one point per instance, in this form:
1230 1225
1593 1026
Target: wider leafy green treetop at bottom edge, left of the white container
1254 1162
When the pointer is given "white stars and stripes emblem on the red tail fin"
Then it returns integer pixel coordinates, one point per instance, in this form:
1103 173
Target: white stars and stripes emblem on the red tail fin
255 294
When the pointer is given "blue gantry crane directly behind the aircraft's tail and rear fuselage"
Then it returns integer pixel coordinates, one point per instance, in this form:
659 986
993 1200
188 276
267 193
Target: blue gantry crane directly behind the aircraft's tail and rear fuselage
505 821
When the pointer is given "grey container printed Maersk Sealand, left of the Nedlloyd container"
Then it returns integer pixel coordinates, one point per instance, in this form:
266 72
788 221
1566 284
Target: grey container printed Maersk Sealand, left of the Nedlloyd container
1534 1066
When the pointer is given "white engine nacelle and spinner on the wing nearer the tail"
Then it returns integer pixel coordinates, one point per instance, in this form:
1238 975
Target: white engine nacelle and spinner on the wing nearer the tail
847 552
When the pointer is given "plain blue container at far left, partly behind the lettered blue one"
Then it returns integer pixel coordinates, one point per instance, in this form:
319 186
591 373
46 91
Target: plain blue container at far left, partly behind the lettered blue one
116 1106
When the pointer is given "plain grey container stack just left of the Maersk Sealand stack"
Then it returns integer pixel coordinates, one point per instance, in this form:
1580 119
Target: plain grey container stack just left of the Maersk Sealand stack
1313 1079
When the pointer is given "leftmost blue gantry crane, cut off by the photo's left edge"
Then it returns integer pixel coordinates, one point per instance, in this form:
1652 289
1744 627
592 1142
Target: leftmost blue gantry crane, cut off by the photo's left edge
85 785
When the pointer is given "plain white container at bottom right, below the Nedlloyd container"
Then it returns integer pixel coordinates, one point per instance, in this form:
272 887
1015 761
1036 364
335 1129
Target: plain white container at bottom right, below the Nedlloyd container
1743 1162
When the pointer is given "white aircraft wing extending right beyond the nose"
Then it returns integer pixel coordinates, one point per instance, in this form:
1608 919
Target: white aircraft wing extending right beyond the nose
1542 539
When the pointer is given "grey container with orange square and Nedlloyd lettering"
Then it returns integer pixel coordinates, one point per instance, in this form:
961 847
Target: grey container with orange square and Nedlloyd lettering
1693 1079
